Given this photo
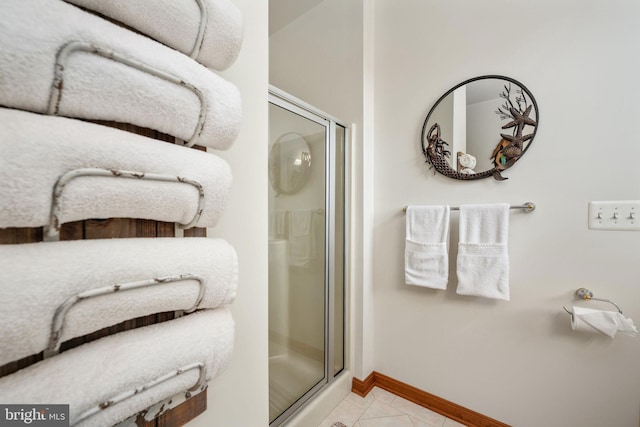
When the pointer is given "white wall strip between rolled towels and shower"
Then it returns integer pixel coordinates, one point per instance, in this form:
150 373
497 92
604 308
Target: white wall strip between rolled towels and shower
240 396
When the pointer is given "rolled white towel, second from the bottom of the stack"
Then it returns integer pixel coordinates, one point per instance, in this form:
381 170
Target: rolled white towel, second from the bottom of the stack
38 278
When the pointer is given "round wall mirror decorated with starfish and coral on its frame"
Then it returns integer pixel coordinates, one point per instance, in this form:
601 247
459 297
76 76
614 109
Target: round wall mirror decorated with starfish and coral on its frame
480 128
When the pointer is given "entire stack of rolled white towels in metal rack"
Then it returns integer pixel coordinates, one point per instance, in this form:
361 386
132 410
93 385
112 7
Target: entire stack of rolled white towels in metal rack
68 67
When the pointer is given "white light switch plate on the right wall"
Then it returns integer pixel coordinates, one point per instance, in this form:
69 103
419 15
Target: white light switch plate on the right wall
615 215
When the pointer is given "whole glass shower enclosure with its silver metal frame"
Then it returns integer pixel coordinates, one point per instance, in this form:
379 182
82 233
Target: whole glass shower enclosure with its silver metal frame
306 253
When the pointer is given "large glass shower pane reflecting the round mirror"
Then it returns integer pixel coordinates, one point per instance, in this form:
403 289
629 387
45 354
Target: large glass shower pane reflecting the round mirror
296 257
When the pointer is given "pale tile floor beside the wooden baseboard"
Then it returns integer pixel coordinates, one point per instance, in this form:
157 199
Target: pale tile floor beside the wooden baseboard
383 409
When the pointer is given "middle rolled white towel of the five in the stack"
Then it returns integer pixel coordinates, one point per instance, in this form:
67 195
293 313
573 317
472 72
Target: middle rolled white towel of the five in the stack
36 150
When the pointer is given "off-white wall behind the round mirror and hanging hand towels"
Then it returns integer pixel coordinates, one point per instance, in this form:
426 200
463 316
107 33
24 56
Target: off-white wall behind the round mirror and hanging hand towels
516 361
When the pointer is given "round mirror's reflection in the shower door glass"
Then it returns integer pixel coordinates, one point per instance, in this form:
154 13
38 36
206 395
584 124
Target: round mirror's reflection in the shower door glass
289 163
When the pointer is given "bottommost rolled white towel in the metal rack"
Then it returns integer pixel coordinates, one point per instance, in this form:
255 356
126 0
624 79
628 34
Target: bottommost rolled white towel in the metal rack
94 373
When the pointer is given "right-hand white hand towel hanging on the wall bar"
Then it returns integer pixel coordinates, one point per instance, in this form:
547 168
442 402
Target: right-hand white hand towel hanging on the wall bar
483 256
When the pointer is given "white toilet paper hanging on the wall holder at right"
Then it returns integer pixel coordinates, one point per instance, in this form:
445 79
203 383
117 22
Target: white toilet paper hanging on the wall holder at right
606 322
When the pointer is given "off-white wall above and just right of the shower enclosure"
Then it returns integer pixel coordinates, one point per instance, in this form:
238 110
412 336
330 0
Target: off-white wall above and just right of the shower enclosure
319 58
